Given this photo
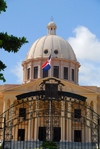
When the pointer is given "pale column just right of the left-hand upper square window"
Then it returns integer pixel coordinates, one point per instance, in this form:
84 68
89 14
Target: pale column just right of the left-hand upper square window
30 120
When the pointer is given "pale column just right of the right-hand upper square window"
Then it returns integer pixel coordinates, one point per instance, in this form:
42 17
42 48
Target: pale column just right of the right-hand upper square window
88 129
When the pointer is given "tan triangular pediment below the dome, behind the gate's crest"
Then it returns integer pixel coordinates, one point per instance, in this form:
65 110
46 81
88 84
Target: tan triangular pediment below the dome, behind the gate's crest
34 86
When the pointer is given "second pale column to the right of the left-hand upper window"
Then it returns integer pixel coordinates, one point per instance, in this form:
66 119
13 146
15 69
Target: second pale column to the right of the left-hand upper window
36 121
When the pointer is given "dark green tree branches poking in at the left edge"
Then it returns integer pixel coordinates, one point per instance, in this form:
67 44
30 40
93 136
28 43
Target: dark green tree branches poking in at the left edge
9 43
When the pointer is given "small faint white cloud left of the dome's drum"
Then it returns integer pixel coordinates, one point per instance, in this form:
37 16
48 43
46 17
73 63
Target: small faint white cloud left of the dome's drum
18 71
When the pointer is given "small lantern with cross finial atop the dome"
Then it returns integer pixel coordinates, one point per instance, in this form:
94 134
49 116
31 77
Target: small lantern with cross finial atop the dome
51 28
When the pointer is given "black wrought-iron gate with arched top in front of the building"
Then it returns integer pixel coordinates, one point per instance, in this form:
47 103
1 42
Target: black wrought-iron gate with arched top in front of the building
61 117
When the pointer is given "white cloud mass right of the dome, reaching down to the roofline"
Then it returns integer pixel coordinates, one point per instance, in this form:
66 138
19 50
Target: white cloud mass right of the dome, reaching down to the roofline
87 49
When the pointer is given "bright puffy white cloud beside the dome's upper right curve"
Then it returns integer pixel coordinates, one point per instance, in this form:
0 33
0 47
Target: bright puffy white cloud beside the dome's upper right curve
85 44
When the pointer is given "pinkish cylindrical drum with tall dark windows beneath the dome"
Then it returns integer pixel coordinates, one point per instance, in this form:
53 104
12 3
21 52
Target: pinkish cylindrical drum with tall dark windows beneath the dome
60 68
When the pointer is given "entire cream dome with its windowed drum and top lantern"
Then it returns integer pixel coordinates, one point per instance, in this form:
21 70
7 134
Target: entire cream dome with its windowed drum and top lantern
64 64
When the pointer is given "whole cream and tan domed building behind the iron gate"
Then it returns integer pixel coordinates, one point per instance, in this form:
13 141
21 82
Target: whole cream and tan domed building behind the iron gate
71 116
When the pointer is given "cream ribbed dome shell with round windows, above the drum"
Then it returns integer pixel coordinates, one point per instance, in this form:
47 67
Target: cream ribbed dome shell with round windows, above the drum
56 45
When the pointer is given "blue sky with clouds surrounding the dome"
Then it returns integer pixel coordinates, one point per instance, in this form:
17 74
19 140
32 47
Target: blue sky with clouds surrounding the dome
78 21
